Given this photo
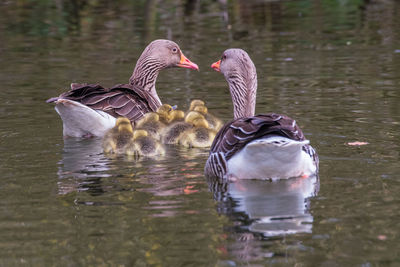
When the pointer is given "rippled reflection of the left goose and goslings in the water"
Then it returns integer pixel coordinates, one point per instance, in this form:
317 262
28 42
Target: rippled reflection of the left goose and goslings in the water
85 169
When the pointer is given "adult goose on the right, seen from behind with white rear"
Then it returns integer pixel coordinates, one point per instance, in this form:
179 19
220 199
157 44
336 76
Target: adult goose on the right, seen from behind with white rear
264 146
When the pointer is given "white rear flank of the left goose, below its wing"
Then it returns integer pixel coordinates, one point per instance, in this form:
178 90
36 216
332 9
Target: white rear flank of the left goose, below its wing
82 121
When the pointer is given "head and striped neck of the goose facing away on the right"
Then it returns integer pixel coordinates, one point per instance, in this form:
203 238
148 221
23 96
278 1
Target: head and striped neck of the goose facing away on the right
240 73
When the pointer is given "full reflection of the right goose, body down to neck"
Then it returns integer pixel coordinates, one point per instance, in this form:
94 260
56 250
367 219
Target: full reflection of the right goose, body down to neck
263 212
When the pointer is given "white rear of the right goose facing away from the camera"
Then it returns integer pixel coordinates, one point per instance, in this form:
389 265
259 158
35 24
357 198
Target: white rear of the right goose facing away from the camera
273 157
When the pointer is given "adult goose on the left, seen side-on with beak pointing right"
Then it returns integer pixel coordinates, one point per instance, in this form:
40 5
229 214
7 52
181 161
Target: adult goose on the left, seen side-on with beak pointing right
90 109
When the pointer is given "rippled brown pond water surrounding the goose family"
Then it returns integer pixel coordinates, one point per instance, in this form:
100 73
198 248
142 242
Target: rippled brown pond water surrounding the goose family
332 65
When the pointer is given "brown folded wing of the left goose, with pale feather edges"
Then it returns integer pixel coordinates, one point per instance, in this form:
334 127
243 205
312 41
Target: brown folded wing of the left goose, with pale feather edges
121 100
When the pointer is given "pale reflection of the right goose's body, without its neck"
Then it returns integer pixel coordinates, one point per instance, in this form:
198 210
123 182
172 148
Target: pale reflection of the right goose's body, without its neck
271 208
